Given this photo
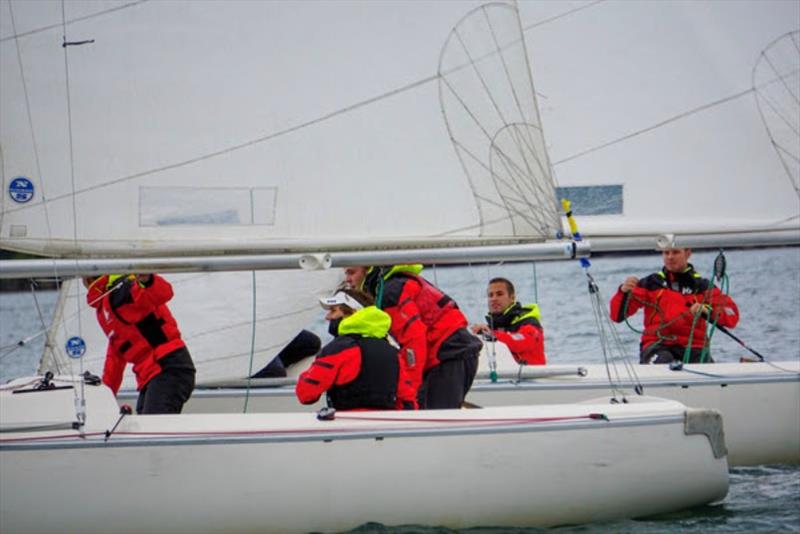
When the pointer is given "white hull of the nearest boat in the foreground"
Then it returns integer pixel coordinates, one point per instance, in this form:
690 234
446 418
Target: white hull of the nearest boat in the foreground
513 466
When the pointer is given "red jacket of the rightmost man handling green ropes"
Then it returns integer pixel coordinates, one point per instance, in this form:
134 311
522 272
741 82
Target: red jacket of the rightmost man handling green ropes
666 298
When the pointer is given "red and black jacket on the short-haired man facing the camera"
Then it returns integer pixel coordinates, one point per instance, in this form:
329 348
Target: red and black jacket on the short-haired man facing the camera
519 328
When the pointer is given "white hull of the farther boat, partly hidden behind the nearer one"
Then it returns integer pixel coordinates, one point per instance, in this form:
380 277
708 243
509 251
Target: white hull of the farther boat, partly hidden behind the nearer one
760 402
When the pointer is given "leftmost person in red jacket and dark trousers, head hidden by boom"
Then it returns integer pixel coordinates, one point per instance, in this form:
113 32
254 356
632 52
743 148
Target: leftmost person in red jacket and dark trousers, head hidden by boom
132 311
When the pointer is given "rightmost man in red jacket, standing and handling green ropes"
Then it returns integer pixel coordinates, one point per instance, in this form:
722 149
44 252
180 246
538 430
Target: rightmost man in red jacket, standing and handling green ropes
677 304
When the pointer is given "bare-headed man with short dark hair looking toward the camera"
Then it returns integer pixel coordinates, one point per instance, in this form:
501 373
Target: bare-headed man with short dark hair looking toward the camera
517 326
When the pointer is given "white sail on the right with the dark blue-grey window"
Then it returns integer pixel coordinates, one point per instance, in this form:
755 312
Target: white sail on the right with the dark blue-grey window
660 100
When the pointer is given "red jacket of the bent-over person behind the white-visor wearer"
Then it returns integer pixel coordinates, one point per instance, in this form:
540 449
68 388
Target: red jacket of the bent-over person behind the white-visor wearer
422 318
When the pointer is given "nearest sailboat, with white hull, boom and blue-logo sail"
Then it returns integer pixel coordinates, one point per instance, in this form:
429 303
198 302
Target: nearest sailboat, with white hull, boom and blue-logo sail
192 137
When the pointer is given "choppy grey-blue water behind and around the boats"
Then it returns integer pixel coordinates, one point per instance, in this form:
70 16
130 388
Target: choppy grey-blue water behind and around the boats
765 283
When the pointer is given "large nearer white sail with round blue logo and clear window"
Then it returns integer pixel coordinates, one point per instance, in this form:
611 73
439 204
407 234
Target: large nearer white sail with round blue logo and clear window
214 126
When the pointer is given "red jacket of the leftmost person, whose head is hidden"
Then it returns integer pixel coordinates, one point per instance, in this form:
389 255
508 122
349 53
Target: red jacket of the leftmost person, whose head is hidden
139 327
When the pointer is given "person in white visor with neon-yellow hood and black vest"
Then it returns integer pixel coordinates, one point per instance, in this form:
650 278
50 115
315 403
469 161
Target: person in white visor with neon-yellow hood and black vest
358 369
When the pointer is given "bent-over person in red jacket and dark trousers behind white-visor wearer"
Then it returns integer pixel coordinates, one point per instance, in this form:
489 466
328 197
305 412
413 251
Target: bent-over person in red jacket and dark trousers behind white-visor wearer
441 353
